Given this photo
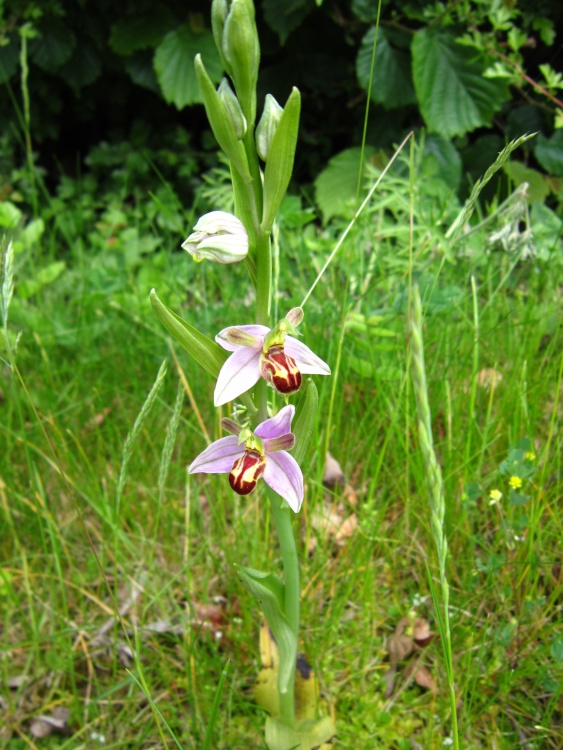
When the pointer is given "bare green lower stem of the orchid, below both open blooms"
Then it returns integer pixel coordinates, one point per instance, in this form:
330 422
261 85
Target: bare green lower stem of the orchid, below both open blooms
282 519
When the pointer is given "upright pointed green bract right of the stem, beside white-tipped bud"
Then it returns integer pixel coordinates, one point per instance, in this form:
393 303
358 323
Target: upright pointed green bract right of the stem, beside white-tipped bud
279 166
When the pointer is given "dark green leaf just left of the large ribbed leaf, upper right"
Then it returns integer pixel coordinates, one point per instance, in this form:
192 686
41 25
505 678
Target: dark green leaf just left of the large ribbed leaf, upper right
392 79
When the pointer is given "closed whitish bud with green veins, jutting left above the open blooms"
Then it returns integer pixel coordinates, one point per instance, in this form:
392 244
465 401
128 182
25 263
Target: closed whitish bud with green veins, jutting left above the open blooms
218 236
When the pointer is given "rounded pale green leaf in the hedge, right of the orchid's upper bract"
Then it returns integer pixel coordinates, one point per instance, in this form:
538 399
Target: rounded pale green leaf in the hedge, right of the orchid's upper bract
336 185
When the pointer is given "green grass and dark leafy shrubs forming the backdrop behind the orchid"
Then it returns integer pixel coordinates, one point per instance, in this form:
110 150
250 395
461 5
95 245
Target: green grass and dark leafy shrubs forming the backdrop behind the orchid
106 160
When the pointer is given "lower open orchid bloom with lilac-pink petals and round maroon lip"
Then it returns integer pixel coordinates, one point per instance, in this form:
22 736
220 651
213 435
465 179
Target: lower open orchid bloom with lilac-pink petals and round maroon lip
249 456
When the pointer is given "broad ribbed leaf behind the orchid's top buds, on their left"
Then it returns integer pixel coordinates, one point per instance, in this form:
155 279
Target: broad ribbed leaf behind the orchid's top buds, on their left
174 64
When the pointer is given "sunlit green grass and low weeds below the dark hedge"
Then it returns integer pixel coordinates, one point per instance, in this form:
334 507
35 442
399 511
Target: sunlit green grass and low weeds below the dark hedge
117 591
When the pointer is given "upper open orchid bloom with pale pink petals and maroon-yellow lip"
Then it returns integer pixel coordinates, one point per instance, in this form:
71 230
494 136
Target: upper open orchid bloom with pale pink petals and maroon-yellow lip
259 351
